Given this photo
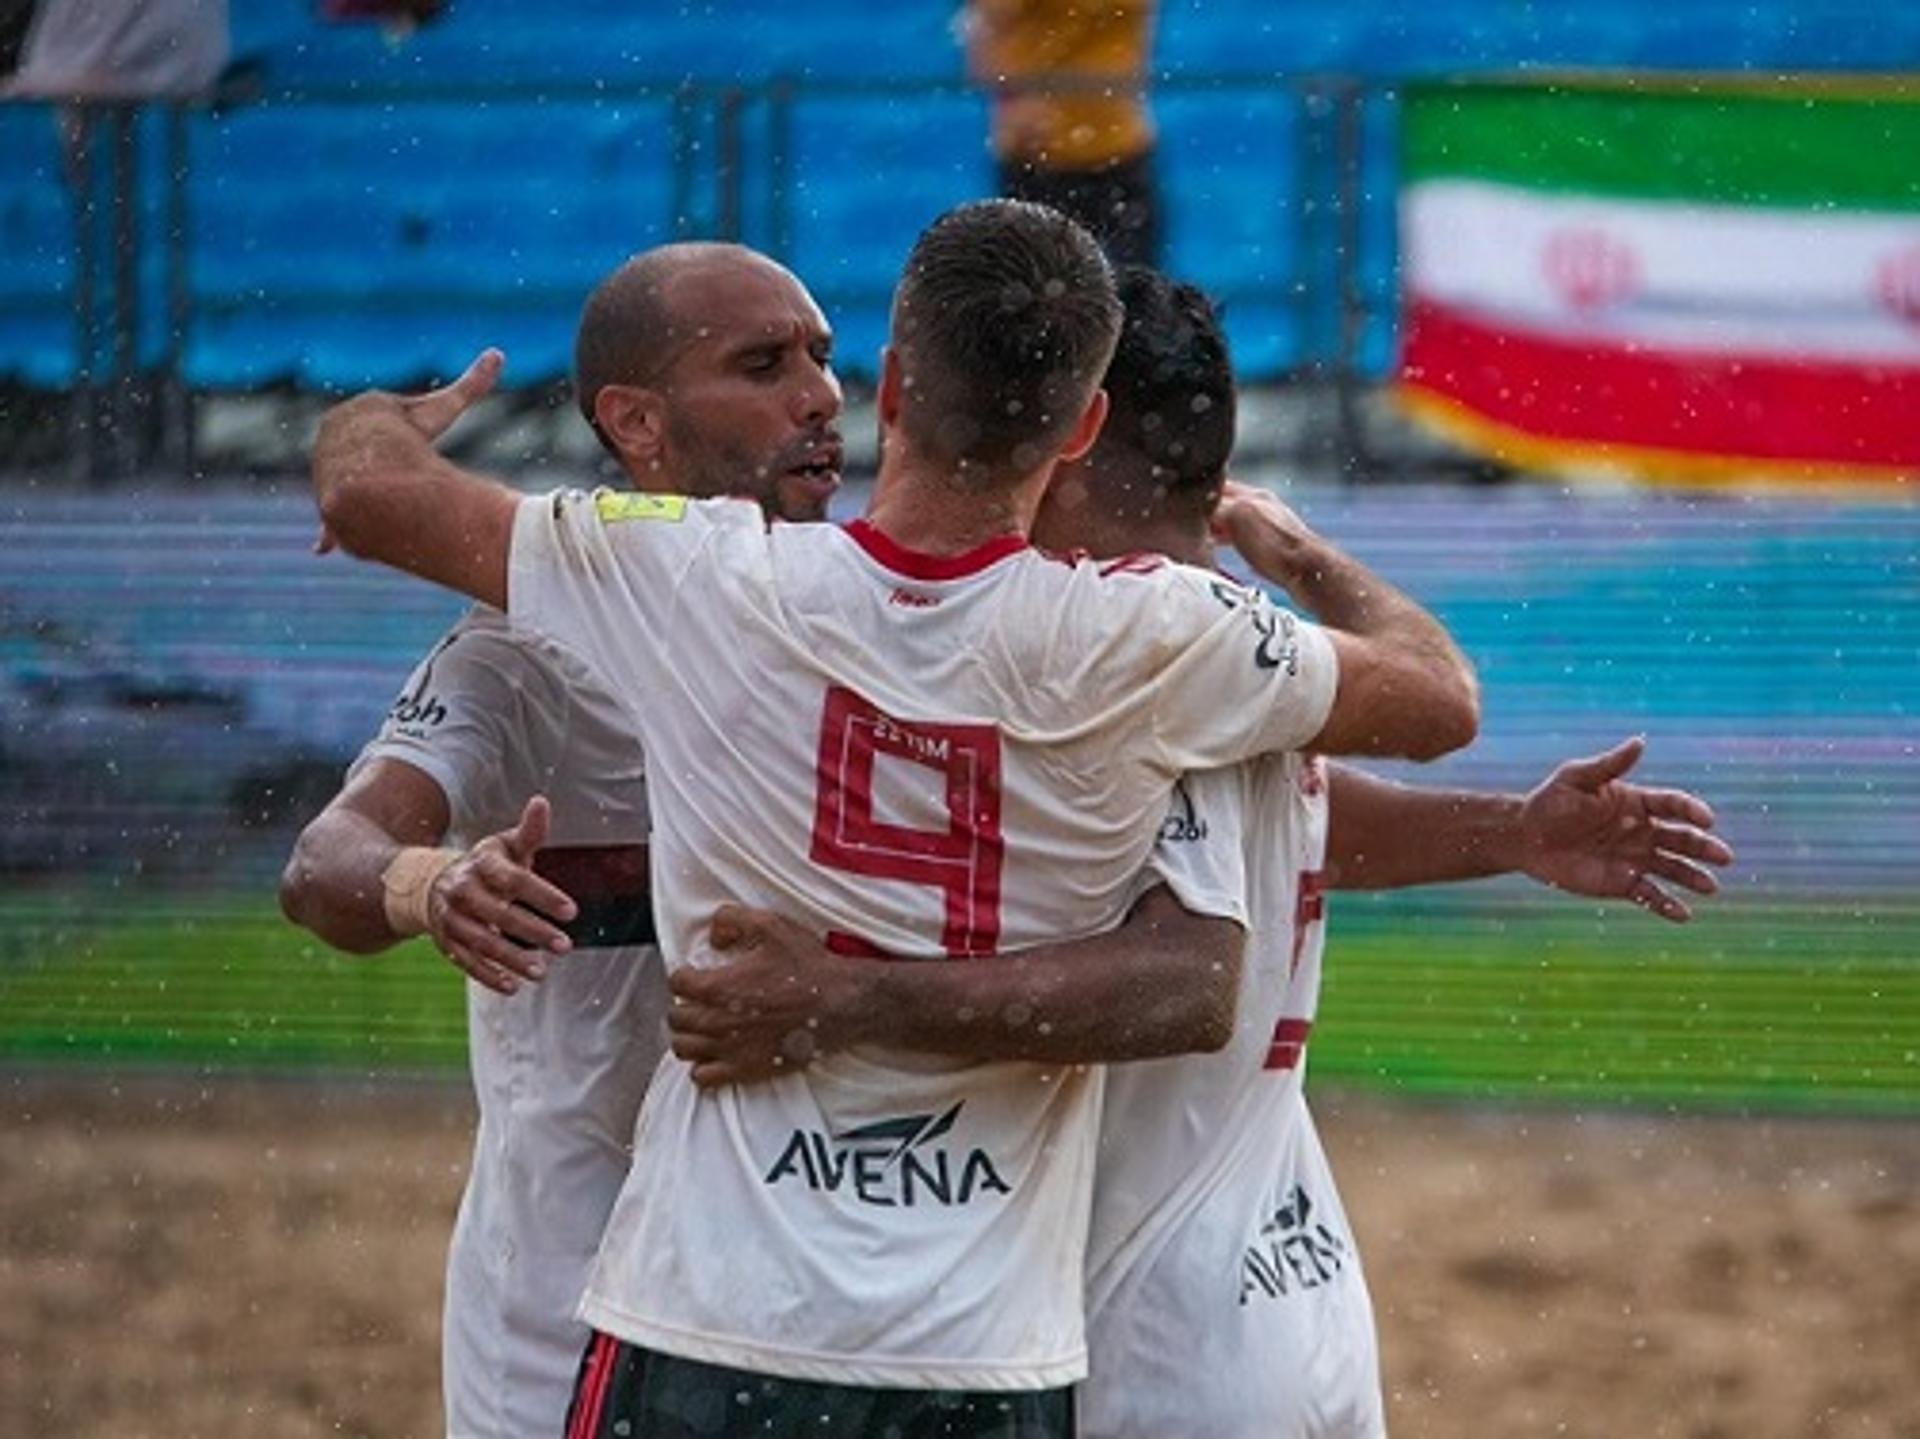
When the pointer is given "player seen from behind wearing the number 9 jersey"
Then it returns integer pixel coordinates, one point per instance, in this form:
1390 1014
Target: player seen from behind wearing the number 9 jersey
919 737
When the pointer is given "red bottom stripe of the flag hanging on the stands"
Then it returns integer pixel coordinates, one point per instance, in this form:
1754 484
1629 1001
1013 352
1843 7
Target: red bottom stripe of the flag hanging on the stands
1710 404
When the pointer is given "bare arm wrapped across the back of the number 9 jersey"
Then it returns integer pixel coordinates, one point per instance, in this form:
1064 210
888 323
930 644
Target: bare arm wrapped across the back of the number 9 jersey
1164 983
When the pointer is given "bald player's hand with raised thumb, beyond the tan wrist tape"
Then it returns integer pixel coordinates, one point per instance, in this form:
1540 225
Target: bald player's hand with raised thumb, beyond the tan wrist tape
492 915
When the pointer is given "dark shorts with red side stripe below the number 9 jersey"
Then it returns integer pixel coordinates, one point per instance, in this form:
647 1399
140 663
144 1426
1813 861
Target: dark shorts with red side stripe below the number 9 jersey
638 1394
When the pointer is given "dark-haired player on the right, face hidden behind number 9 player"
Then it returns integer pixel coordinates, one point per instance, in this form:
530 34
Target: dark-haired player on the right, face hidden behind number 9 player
1216 1217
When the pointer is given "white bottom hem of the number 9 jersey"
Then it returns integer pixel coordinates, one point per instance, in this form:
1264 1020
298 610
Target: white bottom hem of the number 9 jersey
836 1369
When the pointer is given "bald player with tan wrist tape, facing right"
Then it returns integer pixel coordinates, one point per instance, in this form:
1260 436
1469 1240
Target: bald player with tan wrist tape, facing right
711 366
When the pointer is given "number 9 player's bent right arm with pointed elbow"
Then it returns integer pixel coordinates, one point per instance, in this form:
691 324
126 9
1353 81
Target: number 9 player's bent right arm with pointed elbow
1404 685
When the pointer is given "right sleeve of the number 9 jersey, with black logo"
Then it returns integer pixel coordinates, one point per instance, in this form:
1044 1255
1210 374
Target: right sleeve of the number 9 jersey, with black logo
1247 677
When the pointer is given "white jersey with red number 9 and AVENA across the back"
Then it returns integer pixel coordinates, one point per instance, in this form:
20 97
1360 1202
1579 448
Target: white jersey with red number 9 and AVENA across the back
917 756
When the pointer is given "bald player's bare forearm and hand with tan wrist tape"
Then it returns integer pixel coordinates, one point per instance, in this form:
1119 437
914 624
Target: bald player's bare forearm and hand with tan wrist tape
370 871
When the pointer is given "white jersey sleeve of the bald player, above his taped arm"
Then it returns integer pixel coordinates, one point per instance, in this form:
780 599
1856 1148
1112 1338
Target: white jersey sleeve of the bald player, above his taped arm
483 719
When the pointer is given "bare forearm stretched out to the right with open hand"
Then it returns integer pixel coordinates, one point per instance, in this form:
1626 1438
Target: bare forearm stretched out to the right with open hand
1587 829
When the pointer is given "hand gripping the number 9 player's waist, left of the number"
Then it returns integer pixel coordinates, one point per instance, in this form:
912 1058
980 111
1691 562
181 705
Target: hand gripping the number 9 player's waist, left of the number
773 1004
